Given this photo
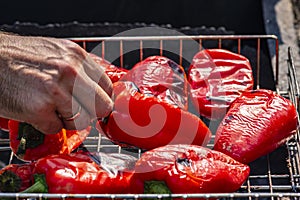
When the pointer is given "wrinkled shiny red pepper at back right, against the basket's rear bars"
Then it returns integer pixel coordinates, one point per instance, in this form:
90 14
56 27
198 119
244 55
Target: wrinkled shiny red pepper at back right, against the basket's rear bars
216 78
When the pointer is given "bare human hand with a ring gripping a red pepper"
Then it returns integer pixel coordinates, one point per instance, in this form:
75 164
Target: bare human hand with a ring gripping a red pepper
51 83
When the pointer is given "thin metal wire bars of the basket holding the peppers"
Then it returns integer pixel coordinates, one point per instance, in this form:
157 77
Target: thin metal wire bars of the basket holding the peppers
269 188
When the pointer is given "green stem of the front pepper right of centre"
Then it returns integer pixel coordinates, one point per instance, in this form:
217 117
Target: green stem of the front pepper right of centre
156 187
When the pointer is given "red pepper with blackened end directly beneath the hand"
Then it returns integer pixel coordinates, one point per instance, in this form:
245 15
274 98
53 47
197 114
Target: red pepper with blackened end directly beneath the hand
29 144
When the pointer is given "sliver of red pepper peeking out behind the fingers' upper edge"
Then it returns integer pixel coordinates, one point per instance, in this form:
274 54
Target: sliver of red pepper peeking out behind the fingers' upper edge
113 72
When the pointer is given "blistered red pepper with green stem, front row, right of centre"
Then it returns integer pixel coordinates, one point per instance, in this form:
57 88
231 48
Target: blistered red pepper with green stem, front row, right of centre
187 169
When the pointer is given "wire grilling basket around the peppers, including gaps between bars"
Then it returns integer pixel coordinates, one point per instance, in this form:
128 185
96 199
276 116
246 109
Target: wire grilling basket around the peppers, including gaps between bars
274 176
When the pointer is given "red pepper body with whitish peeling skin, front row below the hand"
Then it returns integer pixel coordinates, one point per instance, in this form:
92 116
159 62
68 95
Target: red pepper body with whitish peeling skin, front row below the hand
86 173
